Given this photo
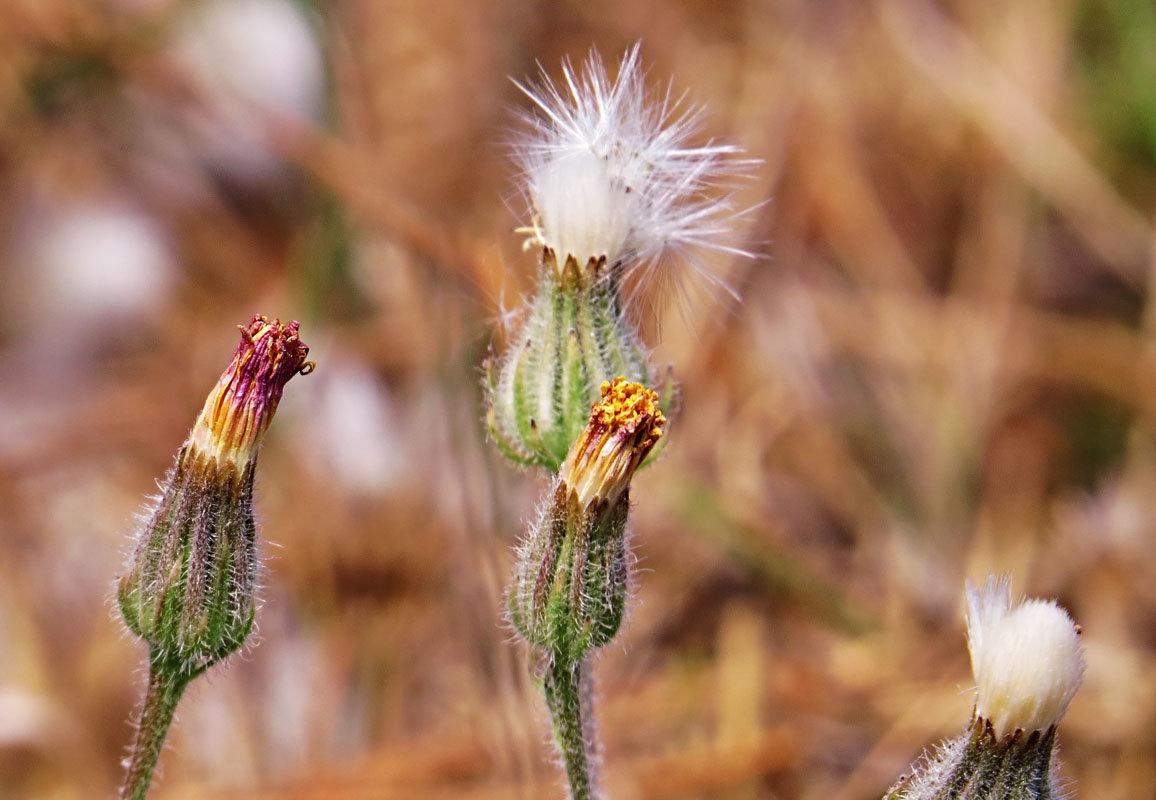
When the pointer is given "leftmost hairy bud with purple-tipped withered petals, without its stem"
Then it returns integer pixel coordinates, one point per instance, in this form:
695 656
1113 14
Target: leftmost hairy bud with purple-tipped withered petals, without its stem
189 591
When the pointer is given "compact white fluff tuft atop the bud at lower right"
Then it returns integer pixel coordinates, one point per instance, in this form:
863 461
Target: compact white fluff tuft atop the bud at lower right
1027 660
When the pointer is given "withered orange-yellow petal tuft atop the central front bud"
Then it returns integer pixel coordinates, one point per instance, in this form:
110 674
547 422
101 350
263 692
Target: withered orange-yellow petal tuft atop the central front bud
625 425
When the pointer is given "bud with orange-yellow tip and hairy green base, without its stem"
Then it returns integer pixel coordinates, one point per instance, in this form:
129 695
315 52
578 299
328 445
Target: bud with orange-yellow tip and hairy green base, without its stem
570 582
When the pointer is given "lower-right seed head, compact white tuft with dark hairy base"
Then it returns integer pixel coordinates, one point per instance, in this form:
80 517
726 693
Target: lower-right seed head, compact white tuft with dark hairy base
1028 665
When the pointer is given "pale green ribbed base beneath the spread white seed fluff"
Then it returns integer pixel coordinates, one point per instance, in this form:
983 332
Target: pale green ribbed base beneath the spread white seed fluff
574 339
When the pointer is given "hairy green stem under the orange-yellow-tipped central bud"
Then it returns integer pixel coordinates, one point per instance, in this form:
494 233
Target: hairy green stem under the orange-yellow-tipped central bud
567 695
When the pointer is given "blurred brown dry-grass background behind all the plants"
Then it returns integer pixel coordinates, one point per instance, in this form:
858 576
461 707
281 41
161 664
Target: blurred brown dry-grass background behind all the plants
944 365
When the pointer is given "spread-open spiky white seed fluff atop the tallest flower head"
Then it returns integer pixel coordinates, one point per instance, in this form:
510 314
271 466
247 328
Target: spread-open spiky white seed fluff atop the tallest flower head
609 172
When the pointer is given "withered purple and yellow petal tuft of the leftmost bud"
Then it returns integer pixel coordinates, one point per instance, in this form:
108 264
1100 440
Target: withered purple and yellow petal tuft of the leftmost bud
241 406
